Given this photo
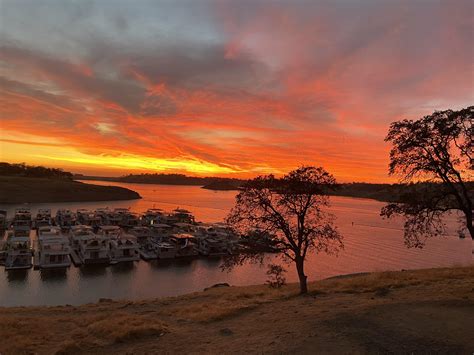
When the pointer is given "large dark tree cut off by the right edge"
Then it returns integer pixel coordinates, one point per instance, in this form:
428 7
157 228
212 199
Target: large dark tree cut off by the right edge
434 155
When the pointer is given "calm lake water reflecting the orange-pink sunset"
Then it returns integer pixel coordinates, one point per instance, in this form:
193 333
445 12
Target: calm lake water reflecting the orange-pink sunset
371 244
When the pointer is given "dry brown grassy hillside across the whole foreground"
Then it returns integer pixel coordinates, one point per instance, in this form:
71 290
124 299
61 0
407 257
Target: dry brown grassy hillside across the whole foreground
401 312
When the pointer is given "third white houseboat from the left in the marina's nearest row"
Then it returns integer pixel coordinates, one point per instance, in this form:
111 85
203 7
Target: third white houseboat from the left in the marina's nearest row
90 247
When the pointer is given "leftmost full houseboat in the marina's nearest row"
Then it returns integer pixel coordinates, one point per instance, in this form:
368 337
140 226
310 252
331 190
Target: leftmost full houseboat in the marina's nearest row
18 251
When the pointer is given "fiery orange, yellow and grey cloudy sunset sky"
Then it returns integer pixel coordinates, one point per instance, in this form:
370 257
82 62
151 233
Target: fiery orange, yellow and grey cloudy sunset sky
225 88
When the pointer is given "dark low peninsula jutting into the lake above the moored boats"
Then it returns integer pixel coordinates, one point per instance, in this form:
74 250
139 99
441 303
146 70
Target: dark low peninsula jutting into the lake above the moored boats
21 190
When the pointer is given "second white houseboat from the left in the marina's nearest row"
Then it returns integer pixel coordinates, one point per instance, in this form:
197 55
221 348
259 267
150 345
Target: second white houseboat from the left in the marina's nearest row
53 248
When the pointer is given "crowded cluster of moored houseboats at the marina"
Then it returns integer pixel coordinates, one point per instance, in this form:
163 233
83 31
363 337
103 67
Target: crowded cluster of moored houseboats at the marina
108 236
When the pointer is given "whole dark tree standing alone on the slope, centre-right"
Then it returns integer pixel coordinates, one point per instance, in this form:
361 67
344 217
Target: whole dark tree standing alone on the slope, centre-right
286 215
